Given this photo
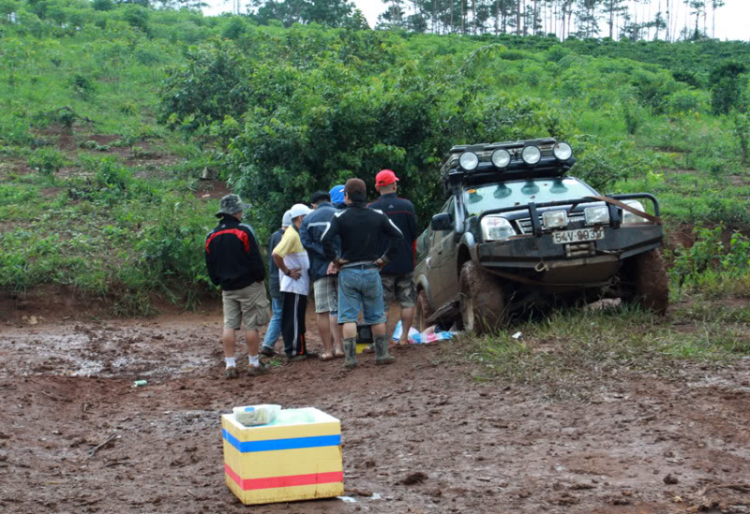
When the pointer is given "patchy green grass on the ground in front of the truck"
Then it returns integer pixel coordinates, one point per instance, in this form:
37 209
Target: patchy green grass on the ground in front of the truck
568 351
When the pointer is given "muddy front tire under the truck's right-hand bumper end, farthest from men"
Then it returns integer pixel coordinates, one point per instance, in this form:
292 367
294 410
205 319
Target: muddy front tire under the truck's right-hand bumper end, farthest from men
650 282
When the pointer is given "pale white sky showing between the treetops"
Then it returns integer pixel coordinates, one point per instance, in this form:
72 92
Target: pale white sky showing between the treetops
732 20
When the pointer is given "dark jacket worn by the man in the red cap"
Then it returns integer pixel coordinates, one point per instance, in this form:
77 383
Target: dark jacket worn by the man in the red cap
401 212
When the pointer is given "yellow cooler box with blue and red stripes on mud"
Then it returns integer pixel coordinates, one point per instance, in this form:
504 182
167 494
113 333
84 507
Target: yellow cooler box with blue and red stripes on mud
297 457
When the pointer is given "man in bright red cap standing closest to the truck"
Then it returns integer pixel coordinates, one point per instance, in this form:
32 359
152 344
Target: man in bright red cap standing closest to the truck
397 275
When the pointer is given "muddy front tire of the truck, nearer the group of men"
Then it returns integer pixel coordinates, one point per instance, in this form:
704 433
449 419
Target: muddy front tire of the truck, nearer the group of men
482 302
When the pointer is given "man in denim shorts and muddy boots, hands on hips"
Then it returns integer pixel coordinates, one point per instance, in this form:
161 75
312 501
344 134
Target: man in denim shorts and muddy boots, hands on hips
362 233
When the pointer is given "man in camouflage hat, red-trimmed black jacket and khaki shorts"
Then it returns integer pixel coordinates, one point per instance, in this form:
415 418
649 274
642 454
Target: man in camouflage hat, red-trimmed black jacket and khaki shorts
234 262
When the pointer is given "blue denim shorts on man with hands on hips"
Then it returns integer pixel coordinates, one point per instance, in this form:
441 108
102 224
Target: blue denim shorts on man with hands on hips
360 287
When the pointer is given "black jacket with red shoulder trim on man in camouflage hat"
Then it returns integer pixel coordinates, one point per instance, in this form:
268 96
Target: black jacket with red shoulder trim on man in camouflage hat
232 255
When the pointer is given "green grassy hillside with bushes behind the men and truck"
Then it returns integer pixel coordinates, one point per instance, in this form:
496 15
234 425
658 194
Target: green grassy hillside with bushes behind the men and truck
110 116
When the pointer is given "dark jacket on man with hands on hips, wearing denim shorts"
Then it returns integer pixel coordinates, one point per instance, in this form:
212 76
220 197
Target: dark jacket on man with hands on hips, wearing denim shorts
366 235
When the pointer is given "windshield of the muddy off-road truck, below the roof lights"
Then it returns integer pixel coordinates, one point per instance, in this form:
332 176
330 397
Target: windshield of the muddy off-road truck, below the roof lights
521 192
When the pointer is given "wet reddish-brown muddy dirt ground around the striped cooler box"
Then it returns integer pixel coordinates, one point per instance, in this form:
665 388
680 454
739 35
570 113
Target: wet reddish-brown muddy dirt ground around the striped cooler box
423 433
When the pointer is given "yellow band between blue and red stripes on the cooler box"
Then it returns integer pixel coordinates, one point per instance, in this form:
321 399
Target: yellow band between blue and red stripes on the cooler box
304 461
